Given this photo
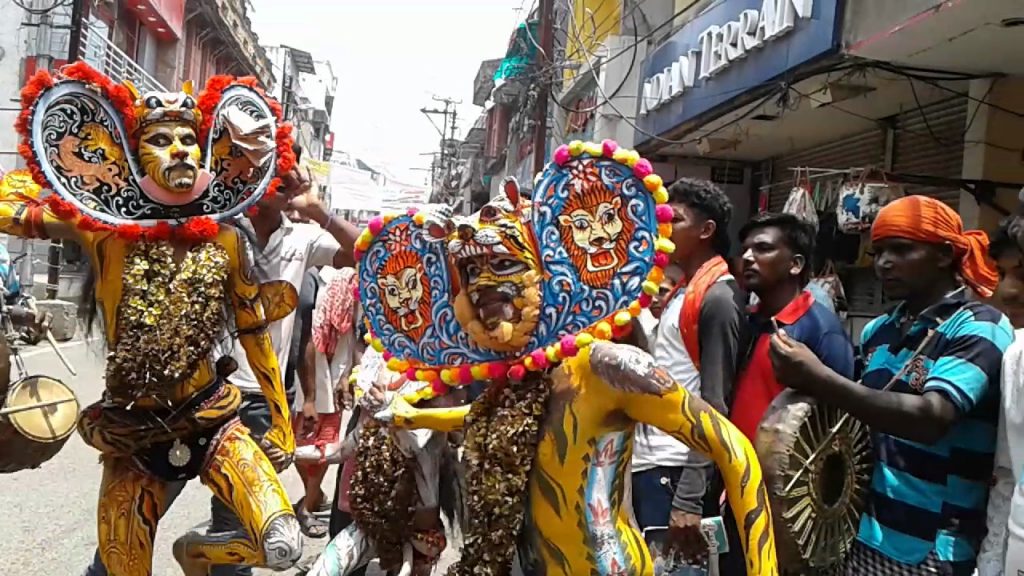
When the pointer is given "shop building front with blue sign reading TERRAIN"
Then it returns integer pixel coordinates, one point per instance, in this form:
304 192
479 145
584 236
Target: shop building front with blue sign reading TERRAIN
773 94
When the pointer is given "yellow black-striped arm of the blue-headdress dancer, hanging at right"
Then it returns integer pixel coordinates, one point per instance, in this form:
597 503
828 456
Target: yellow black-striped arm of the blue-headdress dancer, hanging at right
648 395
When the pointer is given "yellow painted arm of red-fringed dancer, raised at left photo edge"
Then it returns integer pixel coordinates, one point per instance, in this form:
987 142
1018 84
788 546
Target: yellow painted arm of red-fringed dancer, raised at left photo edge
21 216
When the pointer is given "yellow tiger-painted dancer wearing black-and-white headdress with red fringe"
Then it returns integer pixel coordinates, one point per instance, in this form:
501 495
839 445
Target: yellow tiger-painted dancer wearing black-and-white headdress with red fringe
145 183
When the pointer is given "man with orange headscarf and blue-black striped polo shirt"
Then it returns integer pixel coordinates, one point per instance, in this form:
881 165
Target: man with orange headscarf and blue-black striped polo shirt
929 394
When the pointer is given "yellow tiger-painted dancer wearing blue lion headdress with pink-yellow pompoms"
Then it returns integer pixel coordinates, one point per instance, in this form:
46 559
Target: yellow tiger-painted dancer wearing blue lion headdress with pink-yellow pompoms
527 296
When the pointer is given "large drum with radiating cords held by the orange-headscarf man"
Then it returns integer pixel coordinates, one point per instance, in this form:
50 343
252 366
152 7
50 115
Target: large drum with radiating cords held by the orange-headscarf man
818 466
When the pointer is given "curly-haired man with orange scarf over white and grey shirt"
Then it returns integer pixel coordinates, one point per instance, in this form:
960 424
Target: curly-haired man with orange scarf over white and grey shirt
701 339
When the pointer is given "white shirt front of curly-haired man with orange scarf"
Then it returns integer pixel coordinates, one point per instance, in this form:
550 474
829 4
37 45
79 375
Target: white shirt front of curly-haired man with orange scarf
652 447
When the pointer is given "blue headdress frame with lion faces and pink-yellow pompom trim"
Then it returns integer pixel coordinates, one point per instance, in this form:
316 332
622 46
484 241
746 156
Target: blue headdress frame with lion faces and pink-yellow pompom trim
422 337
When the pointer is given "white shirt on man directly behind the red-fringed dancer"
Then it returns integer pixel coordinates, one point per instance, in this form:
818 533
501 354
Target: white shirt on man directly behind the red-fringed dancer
293 250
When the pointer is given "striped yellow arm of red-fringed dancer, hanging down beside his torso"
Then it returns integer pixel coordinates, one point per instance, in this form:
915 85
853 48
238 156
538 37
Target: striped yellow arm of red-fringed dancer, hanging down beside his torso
251 323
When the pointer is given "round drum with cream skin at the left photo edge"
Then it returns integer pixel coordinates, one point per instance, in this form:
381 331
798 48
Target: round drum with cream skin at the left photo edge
38 418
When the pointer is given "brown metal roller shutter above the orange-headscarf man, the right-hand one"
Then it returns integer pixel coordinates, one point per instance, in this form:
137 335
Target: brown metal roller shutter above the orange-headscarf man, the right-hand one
930 142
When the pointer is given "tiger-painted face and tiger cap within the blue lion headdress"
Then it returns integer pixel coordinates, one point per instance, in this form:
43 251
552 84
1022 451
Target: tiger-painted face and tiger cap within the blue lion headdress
500 273
